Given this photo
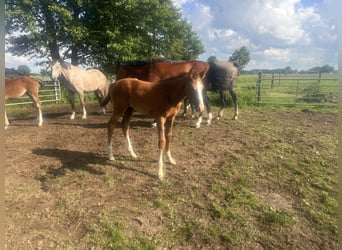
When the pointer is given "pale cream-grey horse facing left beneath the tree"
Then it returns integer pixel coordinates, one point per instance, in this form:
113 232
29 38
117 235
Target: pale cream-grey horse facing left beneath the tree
77 80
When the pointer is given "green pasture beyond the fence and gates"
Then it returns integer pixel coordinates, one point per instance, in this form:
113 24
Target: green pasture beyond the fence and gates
283 90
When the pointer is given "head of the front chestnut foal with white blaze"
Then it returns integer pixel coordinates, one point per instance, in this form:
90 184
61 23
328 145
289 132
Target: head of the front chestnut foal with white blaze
195 92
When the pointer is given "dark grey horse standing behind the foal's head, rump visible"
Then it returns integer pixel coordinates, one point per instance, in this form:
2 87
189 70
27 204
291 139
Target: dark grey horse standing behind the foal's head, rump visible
221 77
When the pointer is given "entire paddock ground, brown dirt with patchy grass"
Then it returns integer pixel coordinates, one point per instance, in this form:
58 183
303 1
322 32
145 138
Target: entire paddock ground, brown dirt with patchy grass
268 180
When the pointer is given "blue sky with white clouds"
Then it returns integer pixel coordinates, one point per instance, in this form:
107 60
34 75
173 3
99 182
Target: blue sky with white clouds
278 33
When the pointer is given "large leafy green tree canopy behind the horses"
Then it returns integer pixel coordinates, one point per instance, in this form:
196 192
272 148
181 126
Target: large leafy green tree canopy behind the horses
99 32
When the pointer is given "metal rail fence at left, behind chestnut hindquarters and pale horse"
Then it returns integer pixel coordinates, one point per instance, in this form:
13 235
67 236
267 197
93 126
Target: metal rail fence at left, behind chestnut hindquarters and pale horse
49 92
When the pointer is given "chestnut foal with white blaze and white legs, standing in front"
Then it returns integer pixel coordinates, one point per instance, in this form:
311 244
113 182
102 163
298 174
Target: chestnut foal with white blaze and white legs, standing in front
161 99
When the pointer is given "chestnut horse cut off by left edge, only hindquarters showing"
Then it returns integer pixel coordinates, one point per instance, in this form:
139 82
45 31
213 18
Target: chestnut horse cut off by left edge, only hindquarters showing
15 88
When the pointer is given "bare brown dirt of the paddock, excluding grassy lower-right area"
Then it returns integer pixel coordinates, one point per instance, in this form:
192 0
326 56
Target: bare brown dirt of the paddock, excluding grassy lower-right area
60 185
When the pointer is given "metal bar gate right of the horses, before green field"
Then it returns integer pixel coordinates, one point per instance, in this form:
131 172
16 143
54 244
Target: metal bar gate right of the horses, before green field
297 89
